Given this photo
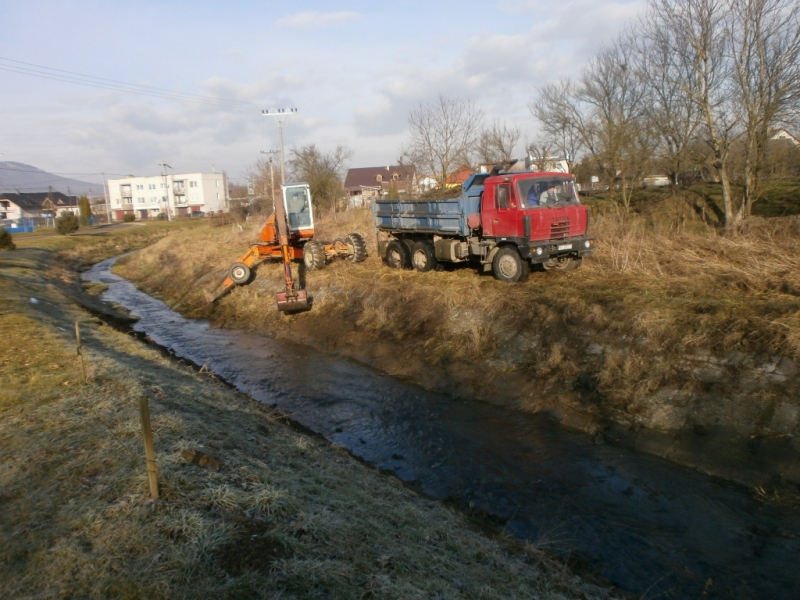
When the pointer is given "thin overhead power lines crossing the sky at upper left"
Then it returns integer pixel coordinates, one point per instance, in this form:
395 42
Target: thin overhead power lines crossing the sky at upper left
44 72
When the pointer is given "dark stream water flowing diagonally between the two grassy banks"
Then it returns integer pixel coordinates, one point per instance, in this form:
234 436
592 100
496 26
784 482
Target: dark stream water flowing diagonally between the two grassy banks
647 526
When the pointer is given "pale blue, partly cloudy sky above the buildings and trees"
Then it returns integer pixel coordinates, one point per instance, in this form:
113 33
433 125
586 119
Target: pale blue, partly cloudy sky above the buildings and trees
186 81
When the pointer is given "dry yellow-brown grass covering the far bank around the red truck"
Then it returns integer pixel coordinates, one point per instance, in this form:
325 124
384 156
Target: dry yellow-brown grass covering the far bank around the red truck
662 289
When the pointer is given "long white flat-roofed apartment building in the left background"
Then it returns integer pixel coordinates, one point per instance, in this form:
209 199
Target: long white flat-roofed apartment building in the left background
173 194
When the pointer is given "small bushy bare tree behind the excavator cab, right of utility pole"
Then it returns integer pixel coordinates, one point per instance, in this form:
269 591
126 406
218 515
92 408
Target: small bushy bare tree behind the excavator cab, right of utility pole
324 172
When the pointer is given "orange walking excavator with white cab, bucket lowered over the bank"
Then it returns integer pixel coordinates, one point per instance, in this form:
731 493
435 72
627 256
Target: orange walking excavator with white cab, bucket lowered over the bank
288 235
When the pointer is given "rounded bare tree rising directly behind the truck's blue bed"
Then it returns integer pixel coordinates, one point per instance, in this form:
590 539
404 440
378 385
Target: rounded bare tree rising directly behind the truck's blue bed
443 134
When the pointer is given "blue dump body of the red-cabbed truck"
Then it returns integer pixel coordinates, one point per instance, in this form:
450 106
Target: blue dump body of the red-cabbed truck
445 217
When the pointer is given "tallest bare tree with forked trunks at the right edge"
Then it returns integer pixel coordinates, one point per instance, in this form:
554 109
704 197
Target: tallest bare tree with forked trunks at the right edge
738 63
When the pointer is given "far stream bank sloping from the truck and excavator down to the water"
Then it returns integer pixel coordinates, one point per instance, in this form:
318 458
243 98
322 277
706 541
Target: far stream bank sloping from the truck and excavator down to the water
692 357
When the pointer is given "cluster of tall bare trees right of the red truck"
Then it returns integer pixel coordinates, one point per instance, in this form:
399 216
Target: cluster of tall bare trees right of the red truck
692 83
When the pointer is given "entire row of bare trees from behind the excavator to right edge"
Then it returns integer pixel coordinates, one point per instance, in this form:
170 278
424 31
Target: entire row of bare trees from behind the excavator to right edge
692 85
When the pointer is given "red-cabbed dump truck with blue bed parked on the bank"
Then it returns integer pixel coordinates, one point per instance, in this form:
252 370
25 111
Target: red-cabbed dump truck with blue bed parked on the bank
503 221
